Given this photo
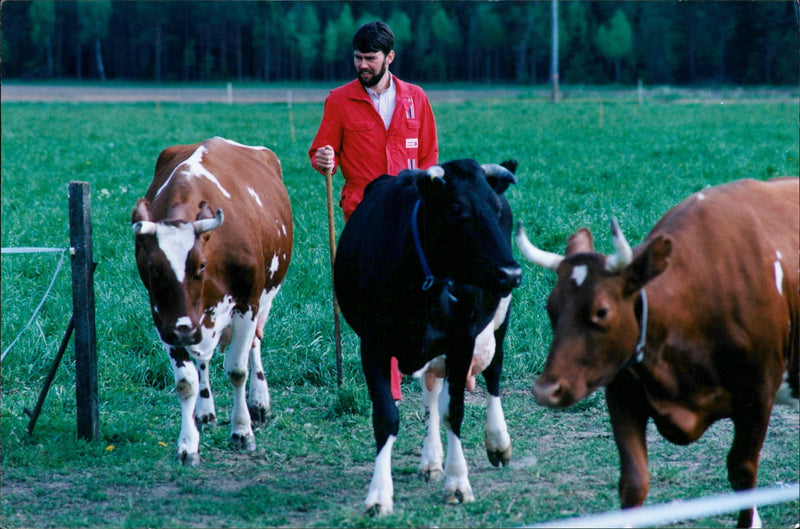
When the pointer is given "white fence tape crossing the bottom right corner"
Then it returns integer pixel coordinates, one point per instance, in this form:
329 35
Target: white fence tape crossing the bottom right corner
679 510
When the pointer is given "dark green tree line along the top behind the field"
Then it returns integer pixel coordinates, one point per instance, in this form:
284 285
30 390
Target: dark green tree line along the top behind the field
599 42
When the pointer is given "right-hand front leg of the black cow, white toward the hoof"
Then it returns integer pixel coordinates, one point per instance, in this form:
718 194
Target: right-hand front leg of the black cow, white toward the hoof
451 406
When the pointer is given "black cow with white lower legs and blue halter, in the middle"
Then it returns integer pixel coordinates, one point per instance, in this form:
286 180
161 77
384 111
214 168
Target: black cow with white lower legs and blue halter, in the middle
424 273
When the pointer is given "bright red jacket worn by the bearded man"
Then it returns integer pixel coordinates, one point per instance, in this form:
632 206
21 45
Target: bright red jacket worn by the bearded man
364 148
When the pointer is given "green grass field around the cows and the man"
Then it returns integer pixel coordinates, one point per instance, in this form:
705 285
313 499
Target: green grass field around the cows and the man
580 162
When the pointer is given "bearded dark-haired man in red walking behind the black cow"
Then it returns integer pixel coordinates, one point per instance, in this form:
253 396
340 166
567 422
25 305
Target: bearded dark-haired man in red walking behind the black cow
374 125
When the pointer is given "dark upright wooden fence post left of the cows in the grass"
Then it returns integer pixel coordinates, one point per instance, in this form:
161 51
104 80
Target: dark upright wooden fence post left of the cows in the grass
80 236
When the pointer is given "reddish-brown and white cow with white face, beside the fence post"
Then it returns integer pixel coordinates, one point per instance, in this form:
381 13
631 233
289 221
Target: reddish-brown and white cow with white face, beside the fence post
210 273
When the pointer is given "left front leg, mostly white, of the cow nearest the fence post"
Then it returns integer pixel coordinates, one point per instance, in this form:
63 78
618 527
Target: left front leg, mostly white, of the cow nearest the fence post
186 385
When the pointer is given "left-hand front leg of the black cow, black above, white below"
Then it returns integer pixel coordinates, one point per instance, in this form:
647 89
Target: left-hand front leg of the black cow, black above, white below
385 423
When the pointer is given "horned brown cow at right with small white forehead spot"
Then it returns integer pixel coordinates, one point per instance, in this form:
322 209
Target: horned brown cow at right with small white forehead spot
698 323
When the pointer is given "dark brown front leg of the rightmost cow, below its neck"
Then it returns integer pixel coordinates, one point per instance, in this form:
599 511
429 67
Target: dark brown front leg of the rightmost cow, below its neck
627 411
